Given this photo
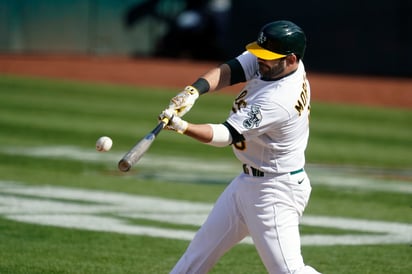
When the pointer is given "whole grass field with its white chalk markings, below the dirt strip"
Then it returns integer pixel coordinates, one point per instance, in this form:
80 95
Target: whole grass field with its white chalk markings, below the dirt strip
65 208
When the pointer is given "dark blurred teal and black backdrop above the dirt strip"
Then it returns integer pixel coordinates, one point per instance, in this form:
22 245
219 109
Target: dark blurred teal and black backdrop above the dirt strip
369 37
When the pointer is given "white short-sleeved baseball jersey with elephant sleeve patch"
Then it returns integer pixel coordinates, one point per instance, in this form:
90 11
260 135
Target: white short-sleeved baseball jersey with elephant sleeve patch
273 118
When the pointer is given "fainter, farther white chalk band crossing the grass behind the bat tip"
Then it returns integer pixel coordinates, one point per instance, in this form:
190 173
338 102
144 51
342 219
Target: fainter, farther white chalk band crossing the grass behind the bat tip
175 168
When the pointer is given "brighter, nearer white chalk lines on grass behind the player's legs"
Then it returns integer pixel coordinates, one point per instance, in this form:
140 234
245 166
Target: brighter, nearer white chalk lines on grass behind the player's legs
106 211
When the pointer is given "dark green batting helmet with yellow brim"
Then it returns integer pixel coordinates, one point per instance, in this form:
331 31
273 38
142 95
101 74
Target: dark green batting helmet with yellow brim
278 39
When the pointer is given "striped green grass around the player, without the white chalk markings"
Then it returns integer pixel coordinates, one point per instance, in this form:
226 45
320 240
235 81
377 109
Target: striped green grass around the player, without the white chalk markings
38 113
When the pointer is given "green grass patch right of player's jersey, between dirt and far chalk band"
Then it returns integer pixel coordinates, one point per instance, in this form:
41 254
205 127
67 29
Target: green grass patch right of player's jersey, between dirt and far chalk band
360 135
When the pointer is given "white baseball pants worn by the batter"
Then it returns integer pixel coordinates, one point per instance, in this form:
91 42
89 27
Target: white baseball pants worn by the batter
266 208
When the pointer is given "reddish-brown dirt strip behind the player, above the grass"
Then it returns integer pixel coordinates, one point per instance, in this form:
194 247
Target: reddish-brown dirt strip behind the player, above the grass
390 92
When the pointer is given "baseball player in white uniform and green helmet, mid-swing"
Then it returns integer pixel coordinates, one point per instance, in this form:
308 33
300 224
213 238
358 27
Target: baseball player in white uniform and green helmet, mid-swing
268 128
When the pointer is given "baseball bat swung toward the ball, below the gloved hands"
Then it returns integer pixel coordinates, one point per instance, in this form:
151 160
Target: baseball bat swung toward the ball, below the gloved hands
140 148
